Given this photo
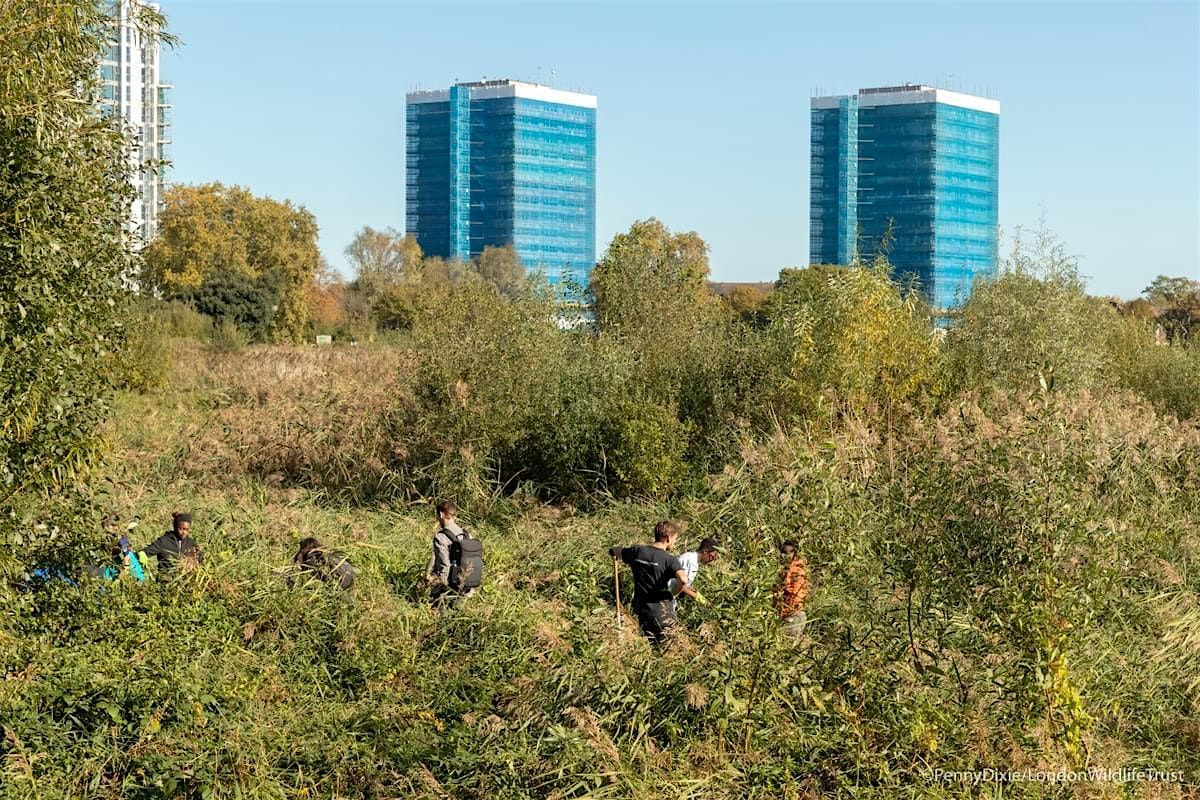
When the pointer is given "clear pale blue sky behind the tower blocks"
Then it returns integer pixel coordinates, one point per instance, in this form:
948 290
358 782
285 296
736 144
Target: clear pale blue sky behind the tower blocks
704 110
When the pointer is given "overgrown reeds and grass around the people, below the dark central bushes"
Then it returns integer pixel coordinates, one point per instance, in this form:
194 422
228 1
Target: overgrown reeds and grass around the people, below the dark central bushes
1012 590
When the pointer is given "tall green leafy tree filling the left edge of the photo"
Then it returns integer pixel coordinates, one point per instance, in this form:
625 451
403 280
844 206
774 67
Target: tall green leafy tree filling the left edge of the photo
65 197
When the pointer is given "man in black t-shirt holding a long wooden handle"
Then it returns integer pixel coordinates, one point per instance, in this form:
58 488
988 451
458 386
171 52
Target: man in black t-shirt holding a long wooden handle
653 568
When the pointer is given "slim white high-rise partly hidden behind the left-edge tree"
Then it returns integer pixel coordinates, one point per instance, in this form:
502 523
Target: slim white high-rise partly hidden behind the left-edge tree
134 94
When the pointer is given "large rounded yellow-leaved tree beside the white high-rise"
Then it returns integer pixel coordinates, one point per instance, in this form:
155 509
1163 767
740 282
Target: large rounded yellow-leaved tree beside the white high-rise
215 236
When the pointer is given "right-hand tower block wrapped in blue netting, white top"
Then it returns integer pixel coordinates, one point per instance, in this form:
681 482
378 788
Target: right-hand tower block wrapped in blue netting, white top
914 172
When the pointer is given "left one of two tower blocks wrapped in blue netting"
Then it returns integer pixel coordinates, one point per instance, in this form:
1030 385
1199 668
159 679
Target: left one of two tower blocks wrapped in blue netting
505 163
